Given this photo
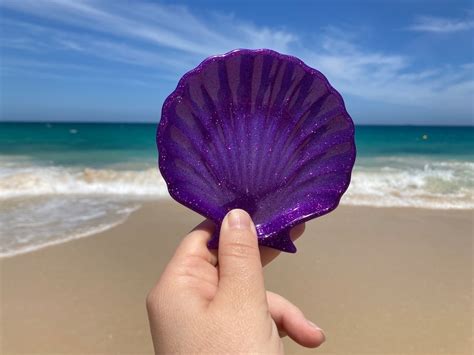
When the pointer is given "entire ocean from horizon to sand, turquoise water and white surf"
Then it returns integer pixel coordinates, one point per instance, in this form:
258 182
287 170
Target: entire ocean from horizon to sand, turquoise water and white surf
61 181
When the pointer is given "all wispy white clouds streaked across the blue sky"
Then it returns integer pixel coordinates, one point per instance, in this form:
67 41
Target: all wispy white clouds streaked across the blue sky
171 39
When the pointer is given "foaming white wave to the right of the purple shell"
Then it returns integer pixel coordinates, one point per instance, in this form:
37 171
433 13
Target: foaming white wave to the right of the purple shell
436 185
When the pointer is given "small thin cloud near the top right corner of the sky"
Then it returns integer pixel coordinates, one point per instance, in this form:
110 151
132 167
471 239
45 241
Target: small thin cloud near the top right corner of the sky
441 24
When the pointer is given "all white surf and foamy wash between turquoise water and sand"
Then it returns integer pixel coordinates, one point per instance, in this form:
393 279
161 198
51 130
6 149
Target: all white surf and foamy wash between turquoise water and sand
47 205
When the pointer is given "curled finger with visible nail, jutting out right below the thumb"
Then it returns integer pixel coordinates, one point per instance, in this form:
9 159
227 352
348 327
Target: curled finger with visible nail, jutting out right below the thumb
291 321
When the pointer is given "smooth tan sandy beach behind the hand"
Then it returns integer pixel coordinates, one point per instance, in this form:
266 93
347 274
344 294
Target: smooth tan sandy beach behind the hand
377 280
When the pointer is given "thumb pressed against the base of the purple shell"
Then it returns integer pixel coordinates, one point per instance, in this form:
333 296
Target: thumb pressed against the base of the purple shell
240 268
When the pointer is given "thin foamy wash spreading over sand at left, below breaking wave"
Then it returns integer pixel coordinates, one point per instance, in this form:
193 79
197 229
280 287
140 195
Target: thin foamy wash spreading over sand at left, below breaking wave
34 223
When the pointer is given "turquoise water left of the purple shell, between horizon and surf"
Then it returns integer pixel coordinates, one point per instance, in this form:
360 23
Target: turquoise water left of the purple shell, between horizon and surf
92 145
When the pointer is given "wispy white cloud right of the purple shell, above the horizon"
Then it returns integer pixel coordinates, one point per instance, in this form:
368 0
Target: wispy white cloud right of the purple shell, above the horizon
390 77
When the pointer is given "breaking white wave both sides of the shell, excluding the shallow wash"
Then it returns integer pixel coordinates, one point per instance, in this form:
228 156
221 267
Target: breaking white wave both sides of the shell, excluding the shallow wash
396 183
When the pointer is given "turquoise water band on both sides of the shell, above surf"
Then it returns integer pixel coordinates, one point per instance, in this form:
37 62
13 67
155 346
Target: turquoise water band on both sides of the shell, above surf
97 145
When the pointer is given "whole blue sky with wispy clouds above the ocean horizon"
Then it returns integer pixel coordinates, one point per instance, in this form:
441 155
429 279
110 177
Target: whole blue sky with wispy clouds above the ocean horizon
395 62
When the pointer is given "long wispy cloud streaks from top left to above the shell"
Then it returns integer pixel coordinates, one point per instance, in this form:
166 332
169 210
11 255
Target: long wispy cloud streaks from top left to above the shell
167 36
